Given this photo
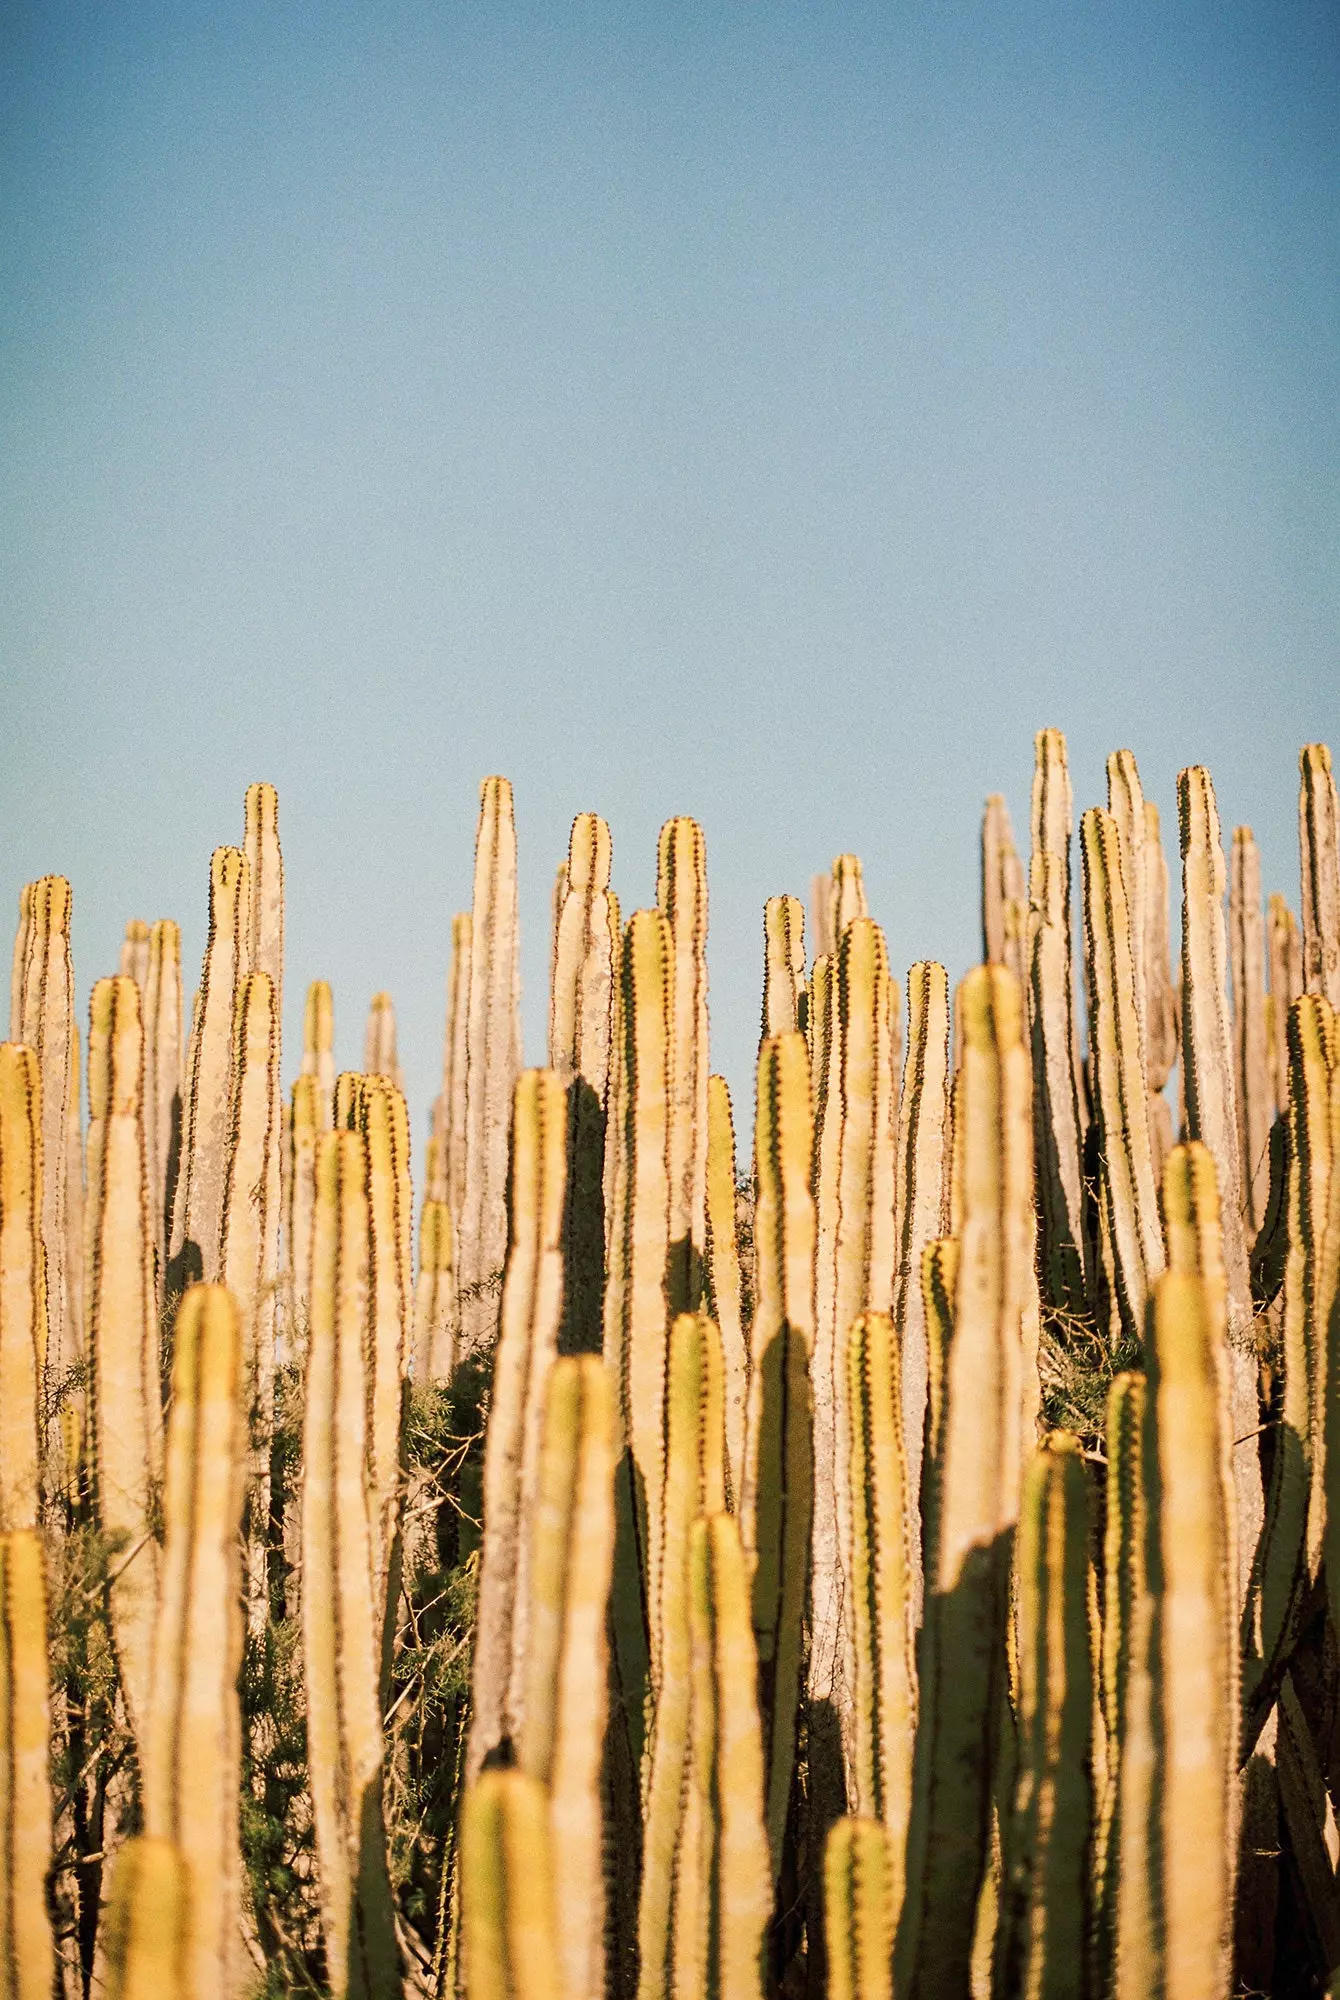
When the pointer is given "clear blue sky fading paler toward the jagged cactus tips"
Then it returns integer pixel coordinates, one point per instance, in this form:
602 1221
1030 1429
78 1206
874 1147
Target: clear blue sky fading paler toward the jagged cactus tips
773 413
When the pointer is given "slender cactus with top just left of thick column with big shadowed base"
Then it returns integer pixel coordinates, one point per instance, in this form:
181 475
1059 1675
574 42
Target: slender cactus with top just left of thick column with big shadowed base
923 1203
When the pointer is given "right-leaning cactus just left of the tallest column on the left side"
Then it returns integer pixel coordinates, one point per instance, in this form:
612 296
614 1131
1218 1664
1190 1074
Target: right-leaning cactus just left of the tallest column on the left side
209 1085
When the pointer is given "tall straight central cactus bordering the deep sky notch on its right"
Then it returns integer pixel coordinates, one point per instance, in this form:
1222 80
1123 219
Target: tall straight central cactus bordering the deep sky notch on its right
683 901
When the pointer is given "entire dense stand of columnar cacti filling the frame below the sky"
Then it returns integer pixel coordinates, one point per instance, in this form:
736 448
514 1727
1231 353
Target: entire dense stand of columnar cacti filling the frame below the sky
891 1567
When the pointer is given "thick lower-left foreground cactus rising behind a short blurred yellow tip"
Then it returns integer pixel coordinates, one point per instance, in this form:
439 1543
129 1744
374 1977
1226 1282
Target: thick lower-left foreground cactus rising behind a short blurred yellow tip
193 1735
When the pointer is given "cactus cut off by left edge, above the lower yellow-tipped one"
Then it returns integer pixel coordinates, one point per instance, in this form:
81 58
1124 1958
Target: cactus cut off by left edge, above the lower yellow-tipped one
23 1289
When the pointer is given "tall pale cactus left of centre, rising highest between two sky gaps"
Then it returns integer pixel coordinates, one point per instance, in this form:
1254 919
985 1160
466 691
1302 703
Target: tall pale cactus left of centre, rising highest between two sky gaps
493 1065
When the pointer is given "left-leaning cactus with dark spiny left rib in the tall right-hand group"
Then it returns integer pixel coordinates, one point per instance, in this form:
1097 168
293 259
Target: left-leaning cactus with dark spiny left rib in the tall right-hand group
1121 1101
